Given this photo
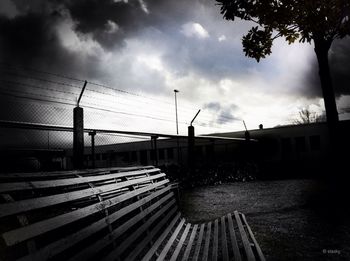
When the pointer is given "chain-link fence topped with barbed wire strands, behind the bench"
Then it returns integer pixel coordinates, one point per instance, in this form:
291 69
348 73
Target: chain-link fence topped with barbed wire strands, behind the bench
36 128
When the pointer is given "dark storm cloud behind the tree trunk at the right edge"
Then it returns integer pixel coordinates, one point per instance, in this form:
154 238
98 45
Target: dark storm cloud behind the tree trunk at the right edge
339 62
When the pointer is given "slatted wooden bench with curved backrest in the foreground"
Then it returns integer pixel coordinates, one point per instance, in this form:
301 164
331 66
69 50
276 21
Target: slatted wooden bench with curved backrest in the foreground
110 214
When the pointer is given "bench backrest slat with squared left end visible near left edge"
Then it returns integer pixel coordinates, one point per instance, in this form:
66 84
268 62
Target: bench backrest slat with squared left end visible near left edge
24 233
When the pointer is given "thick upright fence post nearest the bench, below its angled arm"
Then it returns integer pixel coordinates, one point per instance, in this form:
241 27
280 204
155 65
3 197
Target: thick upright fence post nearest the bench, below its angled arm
78 137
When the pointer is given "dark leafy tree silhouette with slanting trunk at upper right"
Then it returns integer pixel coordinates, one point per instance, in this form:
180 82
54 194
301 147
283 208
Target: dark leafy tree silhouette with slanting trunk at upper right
317 21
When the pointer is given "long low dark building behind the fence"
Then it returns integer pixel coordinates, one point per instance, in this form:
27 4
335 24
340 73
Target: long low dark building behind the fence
283 151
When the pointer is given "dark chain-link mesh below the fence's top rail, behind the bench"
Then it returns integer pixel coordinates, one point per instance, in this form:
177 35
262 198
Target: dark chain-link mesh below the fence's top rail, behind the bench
39 147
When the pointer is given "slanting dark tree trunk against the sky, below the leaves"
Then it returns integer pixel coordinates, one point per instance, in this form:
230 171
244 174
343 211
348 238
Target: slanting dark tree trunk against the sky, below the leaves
321 49
